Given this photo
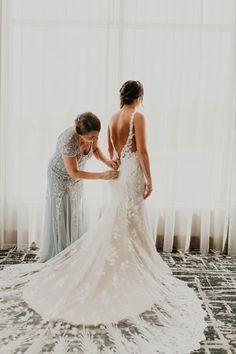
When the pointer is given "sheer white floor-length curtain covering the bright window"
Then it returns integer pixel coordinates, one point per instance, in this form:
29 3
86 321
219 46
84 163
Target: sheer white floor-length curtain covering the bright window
62 57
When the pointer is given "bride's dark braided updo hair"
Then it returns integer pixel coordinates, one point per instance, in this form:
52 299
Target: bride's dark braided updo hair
130 91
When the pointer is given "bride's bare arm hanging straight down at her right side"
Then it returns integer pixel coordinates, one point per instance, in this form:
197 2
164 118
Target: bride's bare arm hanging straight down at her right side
140 137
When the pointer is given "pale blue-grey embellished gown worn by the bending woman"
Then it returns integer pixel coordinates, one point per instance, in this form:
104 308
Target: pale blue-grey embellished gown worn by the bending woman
65 218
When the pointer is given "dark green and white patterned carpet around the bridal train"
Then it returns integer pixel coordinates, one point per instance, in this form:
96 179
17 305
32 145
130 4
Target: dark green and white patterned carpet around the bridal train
214 279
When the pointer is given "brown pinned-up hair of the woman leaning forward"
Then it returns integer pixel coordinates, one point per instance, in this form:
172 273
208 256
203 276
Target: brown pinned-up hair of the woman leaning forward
87 122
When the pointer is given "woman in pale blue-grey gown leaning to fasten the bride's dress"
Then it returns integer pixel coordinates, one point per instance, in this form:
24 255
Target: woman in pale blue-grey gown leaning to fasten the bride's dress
65 219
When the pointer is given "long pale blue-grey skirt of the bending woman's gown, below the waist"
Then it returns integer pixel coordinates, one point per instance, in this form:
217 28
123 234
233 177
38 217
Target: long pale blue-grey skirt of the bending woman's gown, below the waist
65 218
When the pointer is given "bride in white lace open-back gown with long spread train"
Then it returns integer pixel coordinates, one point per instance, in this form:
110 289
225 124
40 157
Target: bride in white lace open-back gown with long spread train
110 291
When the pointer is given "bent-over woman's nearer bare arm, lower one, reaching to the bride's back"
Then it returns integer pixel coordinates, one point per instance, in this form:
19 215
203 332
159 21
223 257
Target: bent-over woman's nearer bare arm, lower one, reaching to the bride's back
71 167
